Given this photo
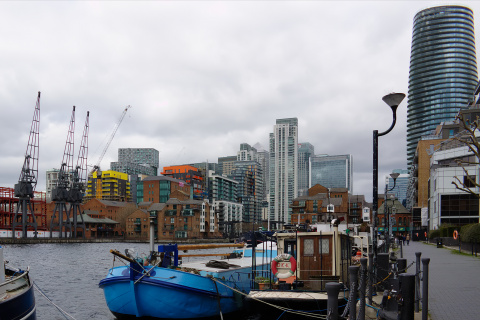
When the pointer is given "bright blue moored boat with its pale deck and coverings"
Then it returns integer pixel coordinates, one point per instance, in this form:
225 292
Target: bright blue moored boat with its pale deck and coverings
166 289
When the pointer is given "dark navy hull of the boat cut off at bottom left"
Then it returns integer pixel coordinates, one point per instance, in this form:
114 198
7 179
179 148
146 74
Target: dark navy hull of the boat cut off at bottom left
21 307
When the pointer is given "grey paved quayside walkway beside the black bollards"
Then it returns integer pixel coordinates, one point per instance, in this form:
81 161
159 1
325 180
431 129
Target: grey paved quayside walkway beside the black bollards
454 290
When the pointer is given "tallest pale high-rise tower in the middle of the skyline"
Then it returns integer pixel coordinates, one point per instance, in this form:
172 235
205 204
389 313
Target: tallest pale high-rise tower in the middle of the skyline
283 170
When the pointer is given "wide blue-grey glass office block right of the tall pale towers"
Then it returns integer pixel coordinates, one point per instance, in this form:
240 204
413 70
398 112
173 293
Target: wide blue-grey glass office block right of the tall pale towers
332 171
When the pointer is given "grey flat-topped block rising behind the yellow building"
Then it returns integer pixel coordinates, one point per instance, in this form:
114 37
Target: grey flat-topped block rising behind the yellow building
135 161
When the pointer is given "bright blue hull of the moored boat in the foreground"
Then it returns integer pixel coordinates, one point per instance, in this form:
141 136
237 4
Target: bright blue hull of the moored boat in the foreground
174 294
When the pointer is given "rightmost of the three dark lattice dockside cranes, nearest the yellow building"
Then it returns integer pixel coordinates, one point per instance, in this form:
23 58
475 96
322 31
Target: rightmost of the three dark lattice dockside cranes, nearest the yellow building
79 178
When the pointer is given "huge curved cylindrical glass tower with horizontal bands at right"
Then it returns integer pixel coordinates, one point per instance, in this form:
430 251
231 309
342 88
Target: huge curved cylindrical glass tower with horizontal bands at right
443 70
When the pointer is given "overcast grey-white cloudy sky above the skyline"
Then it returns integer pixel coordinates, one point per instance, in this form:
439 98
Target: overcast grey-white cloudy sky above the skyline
202 77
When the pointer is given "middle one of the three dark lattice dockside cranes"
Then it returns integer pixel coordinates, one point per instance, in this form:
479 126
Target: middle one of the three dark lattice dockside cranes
60 192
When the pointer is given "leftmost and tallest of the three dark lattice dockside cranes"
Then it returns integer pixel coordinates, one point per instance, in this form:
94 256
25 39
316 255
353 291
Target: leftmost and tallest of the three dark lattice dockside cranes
27 181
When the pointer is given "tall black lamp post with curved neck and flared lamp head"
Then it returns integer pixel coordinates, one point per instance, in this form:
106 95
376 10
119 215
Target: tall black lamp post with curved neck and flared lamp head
393 100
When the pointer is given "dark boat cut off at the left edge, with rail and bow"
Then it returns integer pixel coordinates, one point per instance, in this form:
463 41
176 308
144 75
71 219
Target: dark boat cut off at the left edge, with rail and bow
17 300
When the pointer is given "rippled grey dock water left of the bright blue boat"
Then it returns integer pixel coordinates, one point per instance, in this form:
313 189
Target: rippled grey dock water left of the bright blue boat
69 274
